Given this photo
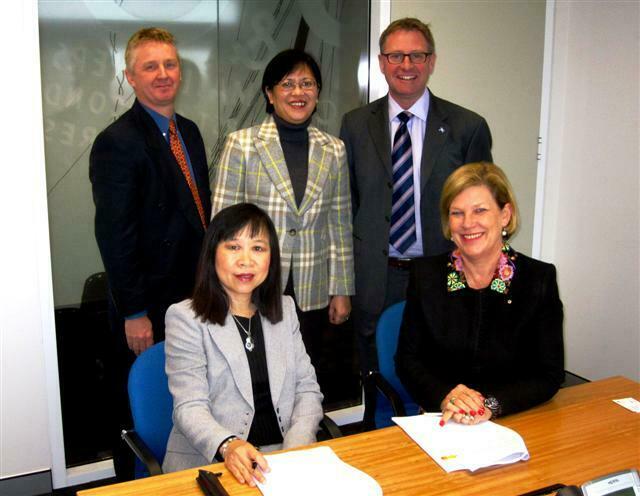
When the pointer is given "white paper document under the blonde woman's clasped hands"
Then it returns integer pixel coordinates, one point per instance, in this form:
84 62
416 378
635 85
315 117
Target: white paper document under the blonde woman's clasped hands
464 447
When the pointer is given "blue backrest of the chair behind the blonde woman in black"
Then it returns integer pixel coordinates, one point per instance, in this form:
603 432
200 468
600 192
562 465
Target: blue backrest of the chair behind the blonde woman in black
387 333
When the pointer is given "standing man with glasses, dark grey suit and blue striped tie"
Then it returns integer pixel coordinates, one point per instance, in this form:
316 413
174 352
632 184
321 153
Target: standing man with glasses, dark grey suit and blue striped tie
400 150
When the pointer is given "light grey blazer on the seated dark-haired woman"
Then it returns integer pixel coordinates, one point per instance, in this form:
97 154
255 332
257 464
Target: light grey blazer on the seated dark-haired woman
210 382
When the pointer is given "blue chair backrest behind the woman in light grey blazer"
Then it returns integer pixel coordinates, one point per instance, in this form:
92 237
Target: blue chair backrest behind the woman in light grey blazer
150 400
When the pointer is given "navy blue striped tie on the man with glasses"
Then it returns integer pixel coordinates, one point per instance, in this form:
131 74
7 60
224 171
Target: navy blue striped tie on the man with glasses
403 225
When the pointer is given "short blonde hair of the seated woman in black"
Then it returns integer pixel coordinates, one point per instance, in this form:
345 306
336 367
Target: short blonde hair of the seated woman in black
479 174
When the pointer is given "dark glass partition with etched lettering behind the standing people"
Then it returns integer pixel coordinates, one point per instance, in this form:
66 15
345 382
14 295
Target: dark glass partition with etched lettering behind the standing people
224 46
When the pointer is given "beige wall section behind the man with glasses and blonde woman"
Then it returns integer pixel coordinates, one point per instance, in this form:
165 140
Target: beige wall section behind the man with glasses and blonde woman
490 56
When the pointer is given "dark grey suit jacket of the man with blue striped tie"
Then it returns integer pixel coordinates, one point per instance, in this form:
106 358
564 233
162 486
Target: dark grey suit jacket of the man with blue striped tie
454 136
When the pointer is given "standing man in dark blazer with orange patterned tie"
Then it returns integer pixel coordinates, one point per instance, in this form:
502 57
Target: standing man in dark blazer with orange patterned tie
151 191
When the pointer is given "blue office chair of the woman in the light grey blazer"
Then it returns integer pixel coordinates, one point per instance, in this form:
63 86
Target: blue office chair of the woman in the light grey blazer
152 408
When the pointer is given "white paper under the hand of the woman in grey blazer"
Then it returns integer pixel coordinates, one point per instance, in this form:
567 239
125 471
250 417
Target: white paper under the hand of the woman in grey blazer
315 472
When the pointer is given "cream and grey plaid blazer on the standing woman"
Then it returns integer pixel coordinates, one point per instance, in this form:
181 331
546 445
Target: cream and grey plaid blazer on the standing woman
316 238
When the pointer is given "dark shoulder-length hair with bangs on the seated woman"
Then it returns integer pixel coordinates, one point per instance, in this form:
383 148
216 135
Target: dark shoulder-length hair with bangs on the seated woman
210 301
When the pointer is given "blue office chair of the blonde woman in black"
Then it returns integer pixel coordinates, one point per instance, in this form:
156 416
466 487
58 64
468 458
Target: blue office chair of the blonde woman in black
392 399
